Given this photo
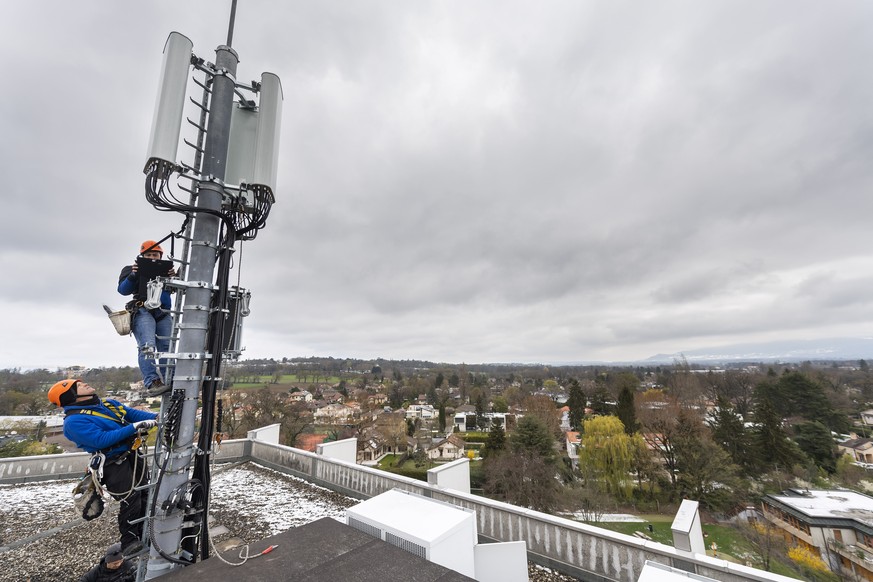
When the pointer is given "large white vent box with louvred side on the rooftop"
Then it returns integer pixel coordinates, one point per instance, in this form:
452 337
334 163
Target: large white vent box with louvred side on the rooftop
439 532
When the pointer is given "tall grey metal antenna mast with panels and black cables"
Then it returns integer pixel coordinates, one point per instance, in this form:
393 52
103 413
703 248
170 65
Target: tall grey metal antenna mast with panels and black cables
222 213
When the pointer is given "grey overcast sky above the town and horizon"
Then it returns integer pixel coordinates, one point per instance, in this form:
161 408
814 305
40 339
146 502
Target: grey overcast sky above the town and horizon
487 181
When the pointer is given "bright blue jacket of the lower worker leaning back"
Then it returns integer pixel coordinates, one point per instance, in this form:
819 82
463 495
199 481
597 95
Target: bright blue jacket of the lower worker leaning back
93 433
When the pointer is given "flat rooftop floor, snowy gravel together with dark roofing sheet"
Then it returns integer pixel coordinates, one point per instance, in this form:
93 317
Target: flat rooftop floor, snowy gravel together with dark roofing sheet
43 540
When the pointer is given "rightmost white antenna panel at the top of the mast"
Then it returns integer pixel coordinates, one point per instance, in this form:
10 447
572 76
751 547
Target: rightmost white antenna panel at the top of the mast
269 128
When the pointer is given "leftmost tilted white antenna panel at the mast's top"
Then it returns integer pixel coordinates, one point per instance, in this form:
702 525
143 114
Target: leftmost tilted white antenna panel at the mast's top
167 121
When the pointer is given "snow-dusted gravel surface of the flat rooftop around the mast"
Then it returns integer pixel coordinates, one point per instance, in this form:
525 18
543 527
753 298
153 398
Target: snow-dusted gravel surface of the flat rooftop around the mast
43 540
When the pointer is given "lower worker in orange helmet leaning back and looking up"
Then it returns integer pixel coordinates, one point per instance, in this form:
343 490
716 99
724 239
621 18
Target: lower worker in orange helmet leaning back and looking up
109 428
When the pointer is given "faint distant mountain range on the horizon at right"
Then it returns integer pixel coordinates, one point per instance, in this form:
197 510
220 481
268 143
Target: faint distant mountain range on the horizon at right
782 351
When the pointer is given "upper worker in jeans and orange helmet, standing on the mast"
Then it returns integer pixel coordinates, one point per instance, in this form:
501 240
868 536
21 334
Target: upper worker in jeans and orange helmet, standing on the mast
151 327
